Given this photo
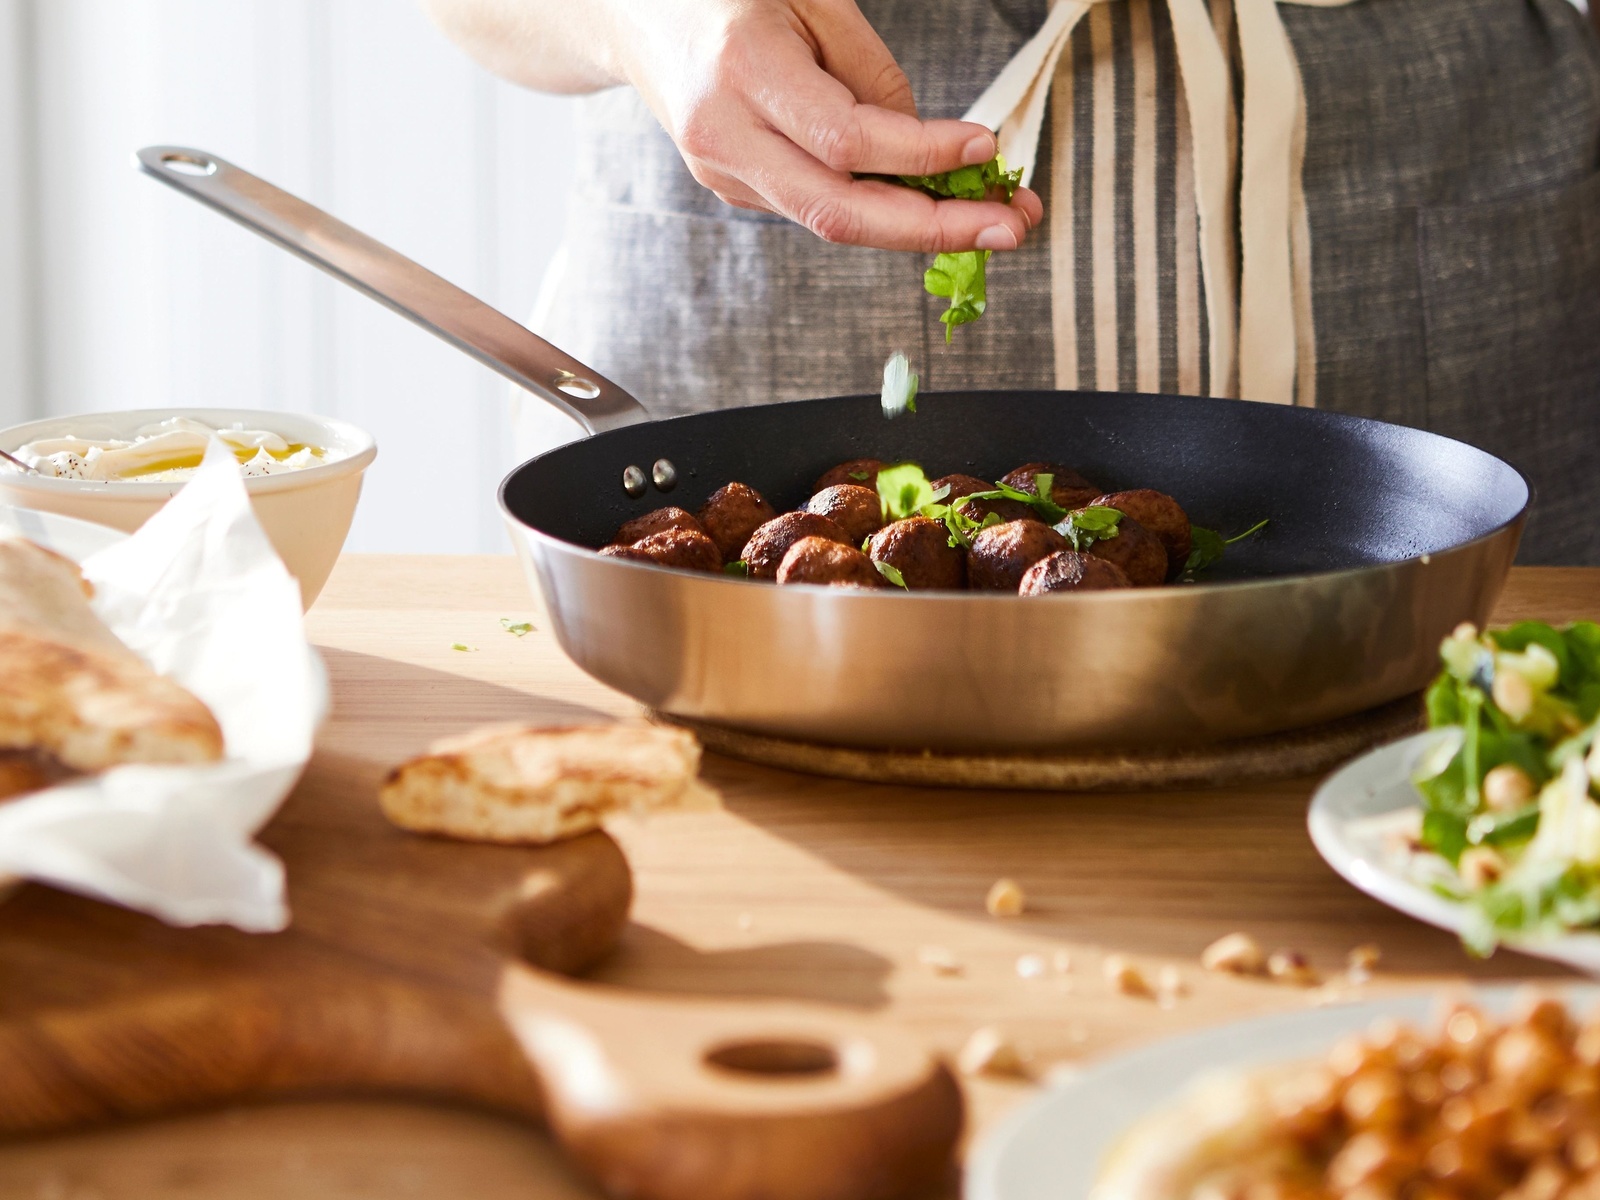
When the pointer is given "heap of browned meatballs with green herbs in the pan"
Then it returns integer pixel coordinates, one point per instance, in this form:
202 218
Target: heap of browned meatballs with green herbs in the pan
1039 529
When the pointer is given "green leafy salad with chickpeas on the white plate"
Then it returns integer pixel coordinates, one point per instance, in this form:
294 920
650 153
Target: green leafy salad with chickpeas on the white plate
1511 790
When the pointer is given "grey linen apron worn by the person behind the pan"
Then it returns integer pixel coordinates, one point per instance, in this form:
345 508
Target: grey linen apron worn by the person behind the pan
1454 188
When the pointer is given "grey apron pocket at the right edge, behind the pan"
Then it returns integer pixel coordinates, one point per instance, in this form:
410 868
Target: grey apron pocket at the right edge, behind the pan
1511 295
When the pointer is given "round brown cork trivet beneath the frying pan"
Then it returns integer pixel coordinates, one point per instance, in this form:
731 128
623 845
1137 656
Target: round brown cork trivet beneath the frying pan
1279 756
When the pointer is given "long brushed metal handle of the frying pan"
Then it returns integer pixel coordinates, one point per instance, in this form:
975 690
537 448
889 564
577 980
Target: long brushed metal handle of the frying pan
394 281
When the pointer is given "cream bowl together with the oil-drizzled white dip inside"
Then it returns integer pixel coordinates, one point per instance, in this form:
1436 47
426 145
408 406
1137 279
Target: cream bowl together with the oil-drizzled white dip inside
305 505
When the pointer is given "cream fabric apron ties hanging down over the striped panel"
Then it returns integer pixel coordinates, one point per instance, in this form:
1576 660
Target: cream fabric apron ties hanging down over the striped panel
1263 342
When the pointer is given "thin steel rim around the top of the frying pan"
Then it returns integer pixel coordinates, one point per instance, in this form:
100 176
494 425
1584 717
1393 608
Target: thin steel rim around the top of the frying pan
1110 596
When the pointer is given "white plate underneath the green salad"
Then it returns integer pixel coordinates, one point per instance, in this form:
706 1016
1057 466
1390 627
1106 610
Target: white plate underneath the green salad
1346 818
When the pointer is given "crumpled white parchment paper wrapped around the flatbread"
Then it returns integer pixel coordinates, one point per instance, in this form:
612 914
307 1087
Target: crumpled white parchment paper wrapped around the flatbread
204 598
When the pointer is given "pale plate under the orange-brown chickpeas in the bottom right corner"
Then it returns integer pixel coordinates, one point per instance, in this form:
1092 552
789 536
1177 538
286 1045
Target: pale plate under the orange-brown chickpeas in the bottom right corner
1052 1150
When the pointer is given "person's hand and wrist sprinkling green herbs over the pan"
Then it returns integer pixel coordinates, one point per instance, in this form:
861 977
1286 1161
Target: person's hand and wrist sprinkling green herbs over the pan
780 105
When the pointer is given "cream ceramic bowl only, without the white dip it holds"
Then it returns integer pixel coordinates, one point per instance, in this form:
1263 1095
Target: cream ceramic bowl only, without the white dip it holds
305 513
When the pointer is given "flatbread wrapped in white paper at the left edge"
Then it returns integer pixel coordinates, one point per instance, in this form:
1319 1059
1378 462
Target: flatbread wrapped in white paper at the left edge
71 690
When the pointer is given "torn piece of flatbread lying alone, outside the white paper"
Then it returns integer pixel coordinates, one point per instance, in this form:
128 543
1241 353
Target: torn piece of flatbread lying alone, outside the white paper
516 783
